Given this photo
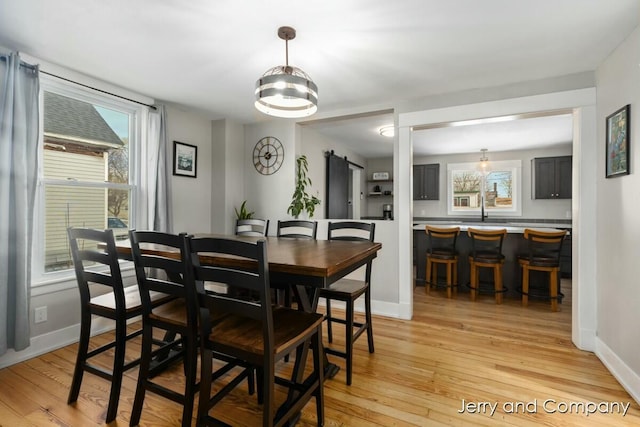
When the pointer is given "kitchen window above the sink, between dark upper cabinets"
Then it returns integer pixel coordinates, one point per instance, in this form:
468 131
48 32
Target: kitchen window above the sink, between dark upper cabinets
498 189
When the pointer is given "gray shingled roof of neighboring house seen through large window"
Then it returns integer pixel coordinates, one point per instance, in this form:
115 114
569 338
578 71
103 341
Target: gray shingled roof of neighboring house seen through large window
77 121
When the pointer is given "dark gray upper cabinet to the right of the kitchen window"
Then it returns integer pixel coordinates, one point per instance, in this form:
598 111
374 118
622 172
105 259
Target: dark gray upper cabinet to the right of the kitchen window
552 177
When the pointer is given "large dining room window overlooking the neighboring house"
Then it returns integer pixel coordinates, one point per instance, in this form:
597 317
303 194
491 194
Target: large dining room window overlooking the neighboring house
87 176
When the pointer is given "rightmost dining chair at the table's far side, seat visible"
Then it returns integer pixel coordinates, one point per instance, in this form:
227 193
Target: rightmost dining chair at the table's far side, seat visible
348 291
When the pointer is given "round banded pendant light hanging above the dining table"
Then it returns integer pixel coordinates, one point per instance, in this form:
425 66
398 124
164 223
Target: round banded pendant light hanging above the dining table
286 91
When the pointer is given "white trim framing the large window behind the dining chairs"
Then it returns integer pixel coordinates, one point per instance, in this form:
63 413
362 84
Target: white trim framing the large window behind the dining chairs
139 115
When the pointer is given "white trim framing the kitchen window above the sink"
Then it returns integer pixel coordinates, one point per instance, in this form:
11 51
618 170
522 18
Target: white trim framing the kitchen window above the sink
516 169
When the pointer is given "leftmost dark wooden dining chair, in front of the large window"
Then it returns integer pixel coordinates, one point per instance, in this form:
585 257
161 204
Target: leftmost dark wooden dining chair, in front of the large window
96 266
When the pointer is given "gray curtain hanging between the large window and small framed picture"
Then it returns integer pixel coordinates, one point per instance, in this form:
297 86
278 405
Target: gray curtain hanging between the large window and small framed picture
155 191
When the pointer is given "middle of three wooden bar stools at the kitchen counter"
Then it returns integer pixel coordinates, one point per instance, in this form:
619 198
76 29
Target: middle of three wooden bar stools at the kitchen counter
486 252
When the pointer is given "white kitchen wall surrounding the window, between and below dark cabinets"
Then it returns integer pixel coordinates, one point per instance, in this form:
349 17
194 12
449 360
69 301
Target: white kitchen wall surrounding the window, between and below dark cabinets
531 208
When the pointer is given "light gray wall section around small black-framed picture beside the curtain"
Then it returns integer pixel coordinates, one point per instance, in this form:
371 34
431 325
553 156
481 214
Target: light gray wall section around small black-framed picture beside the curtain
191 197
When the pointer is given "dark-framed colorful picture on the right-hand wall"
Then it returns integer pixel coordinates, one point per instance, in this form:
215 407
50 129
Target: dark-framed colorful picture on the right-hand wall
618 136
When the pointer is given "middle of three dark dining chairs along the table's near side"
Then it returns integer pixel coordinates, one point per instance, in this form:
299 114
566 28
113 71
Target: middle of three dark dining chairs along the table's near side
161 273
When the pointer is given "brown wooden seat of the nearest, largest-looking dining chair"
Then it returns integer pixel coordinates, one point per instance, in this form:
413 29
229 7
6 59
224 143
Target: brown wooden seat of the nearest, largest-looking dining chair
233 332
